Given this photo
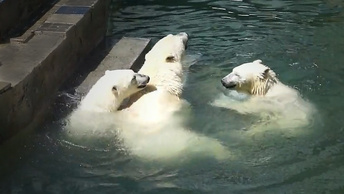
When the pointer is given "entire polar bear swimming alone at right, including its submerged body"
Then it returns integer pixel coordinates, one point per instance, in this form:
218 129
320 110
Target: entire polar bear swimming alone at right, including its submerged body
277 105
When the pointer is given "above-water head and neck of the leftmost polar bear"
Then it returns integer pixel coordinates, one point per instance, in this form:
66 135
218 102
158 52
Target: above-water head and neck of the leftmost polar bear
111 89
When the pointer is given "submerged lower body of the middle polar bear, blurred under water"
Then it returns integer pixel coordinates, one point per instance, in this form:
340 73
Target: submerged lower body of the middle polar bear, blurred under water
169 142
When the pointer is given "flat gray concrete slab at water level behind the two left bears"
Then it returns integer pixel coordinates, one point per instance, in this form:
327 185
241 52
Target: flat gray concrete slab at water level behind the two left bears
127 53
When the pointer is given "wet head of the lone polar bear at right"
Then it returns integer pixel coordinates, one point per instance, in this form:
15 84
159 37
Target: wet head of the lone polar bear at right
252 78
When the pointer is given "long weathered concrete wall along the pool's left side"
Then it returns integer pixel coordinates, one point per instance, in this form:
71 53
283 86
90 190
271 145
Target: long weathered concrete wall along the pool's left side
35 70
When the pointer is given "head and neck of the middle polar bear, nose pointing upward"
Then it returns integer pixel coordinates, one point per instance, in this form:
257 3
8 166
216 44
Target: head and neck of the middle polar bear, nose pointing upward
163 63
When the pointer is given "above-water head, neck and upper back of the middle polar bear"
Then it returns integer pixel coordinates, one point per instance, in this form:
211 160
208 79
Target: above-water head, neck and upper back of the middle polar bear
163 64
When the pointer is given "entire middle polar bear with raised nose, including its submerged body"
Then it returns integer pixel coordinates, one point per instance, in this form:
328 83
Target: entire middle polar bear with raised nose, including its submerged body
155 116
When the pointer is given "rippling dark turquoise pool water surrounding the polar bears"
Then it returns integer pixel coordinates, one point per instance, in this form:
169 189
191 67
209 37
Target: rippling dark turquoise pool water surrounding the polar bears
301 41
